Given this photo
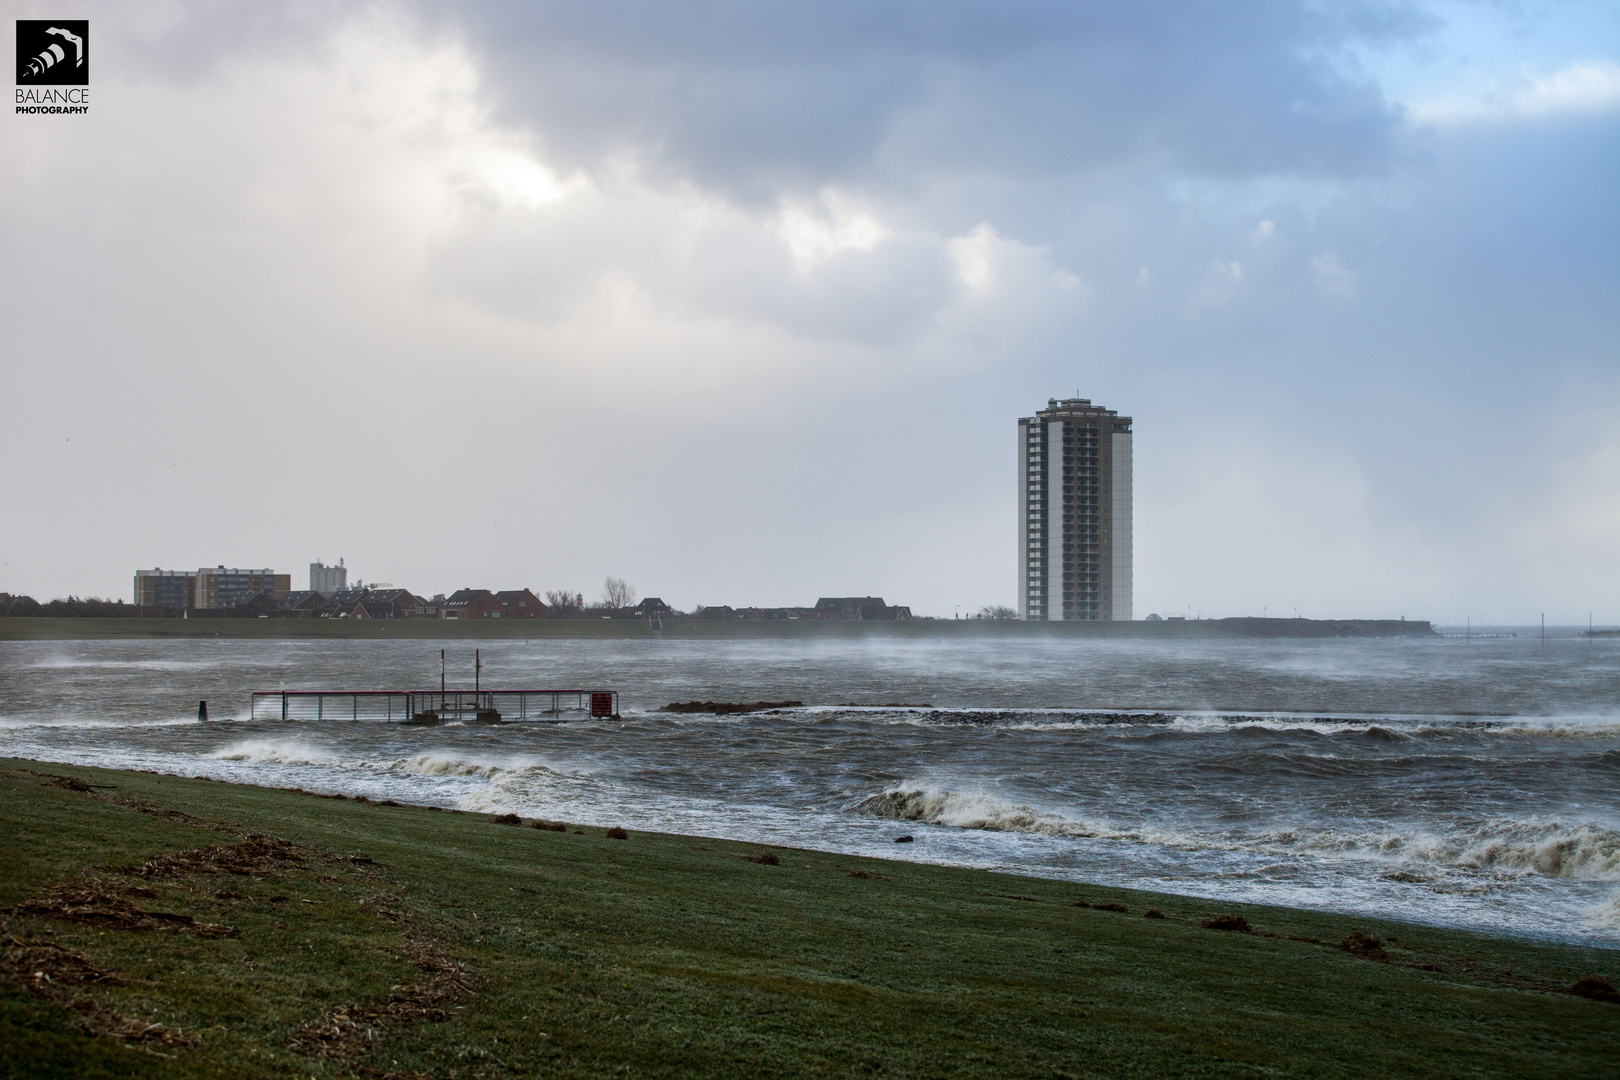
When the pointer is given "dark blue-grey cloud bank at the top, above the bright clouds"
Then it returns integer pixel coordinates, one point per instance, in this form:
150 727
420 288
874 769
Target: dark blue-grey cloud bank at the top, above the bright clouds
756 98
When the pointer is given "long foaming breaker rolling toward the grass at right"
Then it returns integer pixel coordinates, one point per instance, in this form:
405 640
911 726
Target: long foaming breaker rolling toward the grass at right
1503 848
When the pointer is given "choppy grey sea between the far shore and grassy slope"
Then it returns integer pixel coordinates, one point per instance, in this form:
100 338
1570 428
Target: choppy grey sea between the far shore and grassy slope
1459 783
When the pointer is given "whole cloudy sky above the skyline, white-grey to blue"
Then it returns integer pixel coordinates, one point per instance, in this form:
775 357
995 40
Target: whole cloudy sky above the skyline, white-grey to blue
743 300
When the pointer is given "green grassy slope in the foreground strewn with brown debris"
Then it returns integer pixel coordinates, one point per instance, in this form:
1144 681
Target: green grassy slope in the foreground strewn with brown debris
333 938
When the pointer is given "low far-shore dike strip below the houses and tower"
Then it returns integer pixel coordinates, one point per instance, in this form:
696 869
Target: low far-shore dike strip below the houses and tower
66 629
